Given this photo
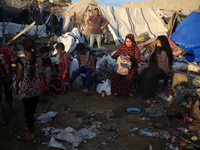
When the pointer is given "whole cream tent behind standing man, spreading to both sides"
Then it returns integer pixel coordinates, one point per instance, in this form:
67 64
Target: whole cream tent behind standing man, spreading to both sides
129 20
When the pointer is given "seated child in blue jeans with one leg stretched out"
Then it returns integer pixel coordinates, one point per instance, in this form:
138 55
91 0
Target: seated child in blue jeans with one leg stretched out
86 65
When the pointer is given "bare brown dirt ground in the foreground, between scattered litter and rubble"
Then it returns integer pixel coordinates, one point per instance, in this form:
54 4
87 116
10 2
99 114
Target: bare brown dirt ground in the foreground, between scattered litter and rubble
78 111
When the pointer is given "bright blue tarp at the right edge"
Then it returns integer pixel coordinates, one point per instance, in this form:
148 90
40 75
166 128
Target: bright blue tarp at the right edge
187 36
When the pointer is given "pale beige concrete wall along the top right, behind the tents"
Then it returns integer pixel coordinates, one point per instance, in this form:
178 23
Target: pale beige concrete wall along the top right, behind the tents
166 4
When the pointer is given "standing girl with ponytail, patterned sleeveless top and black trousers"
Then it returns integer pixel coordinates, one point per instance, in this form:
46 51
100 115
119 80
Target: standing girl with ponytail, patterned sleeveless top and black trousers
30 72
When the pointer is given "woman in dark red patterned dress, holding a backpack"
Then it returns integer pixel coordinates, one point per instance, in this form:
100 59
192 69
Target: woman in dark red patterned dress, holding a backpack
121 85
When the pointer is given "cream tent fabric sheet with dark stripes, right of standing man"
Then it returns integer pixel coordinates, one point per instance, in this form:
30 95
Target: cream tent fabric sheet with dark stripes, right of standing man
132 20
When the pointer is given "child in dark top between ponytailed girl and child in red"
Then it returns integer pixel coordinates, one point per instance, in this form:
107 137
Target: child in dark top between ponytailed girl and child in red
47 64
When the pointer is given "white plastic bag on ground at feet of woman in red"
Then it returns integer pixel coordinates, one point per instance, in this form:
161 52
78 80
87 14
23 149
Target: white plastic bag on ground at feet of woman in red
105 86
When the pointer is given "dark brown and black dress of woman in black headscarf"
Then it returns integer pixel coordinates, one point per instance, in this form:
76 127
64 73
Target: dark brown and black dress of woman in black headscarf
149 74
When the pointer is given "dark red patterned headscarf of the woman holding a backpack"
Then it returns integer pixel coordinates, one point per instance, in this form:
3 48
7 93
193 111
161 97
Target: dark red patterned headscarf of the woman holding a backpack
123 49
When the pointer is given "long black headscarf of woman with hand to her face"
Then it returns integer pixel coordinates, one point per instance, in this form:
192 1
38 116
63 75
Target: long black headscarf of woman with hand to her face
166 47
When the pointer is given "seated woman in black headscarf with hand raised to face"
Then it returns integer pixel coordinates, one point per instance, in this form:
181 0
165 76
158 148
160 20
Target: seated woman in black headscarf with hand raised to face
158 67
